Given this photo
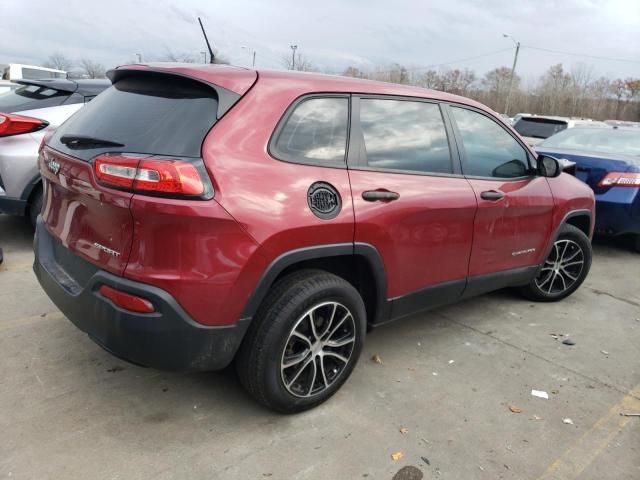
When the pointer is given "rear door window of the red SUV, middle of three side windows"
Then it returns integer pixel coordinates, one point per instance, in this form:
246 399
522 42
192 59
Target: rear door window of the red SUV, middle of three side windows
404 135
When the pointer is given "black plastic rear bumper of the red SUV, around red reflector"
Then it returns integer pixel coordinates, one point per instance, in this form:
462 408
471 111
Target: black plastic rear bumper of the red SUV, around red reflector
167 339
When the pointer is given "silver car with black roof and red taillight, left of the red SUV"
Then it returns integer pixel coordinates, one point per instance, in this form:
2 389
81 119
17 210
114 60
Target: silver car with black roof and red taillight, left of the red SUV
27 113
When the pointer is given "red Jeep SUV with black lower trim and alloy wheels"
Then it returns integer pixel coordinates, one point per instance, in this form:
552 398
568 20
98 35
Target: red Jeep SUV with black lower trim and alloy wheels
194 215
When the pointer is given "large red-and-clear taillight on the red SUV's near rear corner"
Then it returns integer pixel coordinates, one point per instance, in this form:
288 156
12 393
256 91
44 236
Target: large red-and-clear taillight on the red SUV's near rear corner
155 175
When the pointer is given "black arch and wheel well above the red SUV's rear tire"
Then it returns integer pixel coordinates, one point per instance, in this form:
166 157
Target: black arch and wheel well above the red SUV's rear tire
358 263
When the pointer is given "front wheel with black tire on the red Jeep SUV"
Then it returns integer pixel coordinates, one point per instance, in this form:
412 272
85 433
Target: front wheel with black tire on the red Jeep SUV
564 269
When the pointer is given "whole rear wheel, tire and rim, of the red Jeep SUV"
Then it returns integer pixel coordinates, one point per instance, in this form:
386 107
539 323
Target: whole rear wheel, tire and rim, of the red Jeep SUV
304 341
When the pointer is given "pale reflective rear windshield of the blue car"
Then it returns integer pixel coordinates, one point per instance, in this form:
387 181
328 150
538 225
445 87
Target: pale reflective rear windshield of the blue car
611 141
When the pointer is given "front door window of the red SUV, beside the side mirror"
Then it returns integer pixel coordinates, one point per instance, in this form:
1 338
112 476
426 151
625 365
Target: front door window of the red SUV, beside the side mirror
489 150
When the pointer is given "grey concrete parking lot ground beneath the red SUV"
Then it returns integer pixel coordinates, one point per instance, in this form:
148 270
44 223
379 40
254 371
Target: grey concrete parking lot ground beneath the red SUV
69 410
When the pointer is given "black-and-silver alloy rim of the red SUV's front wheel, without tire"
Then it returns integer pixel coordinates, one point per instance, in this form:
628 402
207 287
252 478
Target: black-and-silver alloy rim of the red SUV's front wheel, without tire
562 268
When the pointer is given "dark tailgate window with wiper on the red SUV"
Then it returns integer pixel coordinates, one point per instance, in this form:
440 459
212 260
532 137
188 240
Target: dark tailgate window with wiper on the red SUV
152 114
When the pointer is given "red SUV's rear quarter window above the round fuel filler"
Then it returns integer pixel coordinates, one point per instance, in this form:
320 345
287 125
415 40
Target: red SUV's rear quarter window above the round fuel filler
316 132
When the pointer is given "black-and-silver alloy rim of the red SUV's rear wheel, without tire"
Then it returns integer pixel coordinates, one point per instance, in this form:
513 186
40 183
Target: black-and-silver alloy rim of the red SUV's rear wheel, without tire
318 349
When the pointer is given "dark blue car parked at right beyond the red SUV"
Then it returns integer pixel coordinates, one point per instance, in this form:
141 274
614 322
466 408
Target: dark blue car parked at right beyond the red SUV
608 160
